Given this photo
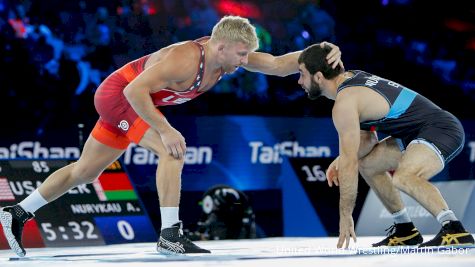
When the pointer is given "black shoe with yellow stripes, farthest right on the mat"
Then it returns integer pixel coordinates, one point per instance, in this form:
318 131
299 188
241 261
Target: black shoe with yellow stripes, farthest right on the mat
451 234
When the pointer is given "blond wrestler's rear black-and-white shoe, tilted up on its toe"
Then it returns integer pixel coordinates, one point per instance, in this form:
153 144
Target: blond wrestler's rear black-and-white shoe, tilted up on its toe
13 218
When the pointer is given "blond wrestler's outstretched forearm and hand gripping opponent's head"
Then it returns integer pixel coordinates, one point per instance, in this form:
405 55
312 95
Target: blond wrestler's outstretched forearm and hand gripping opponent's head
286 64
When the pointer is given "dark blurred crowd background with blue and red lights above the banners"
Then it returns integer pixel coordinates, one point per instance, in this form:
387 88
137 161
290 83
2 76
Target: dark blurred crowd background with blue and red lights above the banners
54 53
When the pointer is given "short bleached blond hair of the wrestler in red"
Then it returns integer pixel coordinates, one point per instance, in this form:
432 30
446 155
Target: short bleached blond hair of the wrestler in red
236 29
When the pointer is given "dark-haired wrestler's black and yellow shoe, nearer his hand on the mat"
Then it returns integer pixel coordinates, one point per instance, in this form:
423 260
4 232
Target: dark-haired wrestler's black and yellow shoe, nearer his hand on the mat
401 234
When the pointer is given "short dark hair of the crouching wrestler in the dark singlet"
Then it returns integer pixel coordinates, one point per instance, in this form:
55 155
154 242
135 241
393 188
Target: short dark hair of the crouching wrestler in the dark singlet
314 58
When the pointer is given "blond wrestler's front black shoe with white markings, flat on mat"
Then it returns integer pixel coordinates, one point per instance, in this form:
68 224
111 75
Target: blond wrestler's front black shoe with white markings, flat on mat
172 241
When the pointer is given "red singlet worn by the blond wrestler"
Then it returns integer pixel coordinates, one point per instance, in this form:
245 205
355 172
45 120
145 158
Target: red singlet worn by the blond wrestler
119 124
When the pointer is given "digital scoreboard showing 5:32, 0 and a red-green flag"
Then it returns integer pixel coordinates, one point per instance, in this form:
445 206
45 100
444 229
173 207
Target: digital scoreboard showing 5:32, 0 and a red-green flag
107 211
